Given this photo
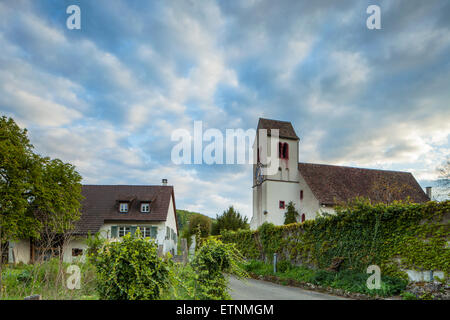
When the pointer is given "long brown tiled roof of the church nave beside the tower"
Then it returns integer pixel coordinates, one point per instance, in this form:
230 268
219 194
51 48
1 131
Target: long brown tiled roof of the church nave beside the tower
331 184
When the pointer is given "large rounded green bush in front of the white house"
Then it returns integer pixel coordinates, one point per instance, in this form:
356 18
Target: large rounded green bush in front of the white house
130 269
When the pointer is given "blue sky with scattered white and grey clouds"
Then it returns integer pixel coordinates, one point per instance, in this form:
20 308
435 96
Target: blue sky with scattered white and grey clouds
107 97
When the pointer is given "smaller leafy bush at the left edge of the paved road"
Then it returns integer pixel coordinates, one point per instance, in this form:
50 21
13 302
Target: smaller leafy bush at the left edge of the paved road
211 261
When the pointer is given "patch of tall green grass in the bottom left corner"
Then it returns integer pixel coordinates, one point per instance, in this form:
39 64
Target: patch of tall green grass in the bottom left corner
47 279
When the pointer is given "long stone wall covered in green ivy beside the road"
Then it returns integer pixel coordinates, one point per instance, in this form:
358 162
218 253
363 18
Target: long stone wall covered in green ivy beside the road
395 237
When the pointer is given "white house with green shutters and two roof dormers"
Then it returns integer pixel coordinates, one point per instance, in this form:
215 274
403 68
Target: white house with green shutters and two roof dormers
112 211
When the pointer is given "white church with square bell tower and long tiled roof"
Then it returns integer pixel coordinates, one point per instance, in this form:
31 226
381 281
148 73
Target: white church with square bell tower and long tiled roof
317 188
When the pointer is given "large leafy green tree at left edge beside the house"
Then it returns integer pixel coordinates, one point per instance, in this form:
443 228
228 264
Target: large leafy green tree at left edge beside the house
35 192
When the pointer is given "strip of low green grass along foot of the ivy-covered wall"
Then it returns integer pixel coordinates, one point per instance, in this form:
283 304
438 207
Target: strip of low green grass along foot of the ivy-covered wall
347 280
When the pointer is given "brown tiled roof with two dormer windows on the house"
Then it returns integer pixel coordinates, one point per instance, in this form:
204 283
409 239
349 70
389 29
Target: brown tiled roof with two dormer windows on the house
101 203
